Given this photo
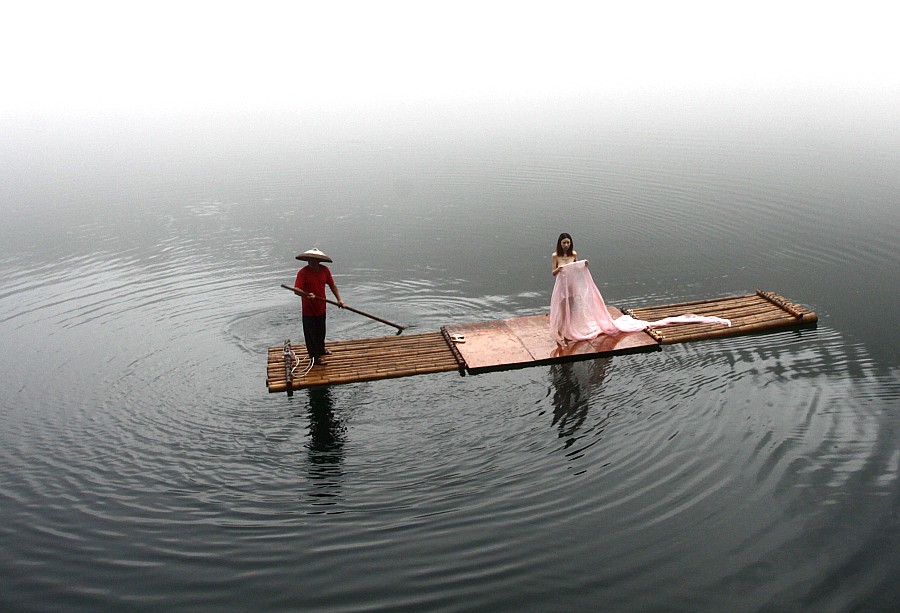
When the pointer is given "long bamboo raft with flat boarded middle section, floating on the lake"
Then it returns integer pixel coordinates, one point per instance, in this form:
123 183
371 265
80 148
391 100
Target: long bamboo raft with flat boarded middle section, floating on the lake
523 341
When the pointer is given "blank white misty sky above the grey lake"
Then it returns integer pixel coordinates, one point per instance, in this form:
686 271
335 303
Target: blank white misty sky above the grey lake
183 55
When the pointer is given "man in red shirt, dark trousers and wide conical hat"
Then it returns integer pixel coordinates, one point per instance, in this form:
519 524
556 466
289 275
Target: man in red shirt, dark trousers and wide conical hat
311 280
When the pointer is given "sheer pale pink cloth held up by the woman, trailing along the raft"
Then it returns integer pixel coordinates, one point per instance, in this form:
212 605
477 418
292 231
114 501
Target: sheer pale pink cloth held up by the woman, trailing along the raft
578 313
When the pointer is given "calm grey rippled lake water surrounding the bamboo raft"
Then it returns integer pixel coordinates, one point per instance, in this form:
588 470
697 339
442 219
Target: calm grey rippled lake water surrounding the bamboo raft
143 465
